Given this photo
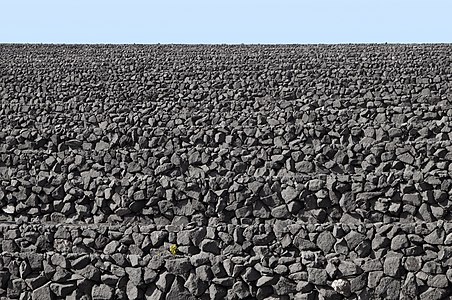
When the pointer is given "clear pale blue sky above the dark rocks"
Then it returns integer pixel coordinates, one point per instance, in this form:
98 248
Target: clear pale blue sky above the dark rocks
225 21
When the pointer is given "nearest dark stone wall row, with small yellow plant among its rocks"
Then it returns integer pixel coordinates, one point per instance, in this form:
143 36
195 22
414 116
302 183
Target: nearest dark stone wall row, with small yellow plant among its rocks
287 259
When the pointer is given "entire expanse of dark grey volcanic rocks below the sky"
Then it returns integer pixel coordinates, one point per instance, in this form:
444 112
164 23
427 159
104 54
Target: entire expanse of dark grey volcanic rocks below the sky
225 171
